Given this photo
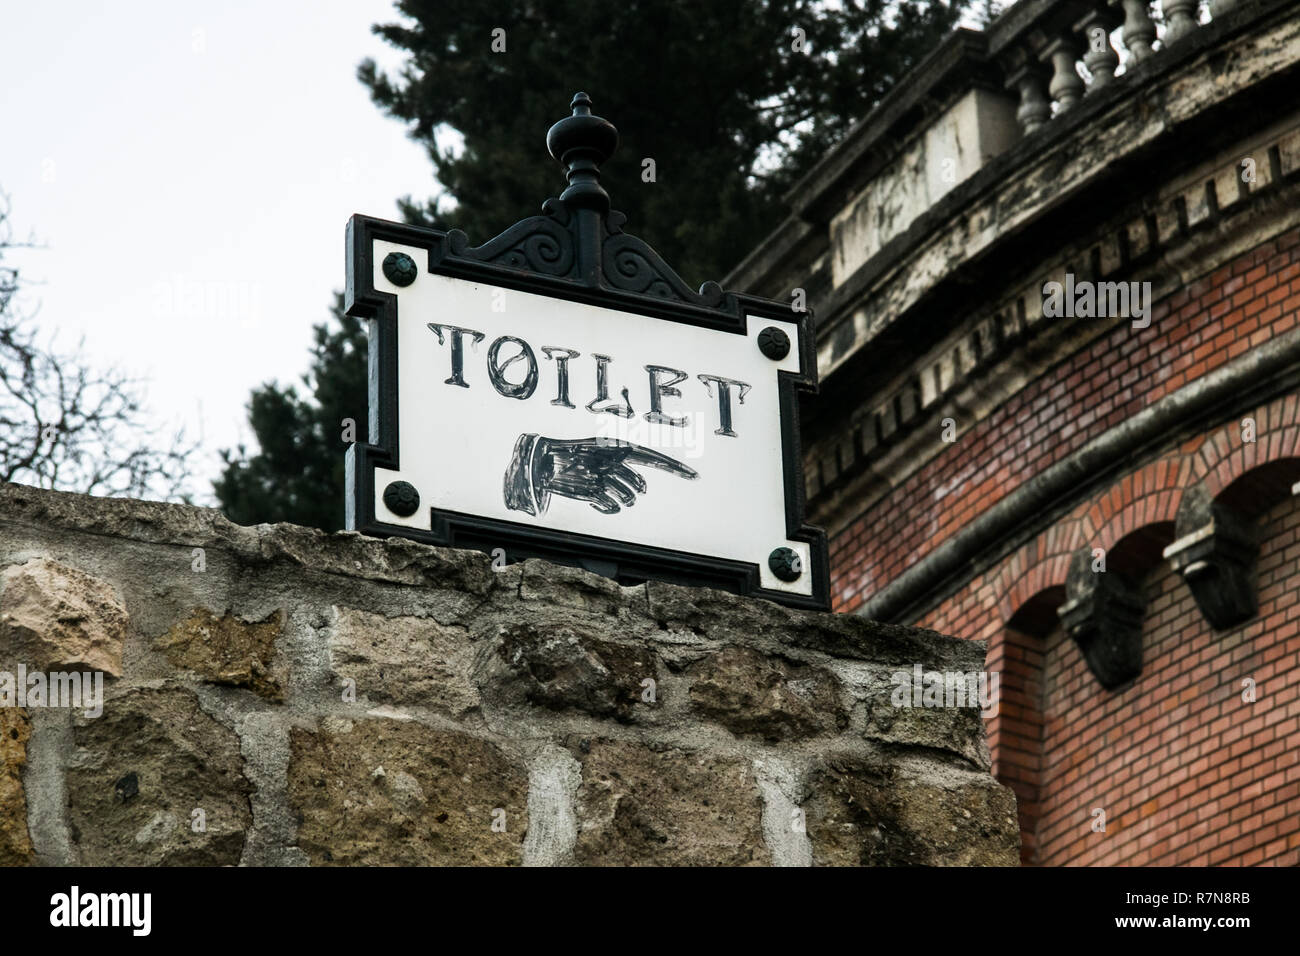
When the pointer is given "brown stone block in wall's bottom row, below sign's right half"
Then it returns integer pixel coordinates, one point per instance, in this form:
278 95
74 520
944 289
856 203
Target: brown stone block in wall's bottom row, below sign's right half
640 807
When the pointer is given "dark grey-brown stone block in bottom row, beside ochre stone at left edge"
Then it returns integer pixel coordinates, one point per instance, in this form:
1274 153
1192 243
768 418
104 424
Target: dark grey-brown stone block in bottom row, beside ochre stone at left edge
138 775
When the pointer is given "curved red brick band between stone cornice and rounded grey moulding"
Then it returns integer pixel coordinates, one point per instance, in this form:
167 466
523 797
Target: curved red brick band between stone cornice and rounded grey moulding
1193 332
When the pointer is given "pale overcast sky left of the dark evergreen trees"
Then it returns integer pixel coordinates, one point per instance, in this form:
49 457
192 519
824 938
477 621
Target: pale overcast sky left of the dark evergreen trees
189 170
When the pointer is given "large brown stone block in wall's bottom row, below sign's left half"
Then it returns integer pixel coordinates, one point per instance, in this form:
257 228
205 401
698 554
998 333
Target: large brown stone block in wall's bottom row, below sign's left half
397 793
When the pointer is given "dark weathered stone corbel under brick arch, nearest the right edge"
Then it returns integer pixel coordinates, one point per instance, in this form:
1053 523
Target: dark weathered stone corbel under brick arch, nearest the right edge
1215 553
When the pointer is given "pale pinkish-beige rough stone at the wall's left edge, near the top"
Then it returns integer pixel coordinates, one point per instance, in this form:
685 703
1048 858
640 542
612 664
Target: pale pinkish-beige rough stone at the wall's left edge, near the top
55 617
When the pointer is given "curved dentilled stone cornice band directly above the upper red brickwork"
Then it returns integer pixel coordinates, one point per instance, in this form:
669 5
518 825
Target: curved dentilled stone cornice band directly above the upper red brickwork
1171 241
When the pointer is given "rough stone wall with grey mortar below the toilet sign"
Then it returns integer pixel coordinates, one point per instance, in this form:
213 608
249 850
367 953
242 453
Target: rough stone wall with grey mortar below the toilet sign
280 697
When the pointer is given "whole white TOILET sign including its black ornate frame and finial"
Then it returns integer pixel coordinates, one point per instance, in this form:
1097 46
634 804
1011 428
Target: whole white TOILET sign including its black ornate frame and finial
561 393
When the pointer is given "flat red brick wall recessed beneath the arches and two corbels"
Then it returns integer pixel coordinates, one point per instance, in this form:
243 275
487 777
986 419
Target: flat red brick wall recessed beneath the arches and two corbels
1186 771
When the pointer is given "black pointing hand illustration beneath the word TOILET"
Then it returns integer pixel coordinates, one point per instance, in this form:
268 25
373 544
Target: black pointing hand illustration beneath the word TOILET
593 470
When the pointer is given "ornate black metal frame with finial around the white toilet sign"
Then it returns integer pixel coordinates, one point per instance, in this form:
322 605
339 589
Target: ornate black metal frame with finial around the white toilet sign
575 250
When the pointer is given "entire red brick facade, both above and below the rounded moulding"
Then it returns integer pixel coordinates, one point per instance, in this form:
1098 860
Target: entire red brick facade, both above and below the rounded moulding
1185 771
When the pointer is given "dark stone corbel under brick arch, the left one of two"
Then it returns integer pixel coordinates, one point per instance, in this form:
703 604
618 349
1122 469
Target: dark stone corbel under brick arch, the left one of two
1103 613
